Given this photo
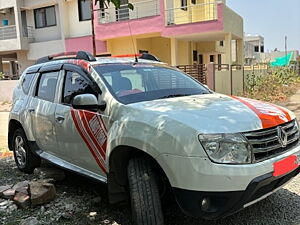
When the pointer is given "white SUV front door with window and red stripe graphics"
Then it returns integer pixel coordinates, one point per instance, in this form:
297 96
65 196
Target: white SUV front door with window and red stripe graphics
78 145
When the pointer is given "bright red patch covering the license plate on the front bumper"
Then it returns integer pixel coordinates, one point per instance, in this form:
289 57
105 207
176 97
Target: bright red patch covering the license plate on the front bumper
284 166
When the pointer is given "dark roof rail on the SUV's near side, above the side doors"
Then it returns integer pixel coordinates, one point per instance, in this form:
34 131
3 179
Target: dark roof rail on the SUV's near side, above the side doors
83 55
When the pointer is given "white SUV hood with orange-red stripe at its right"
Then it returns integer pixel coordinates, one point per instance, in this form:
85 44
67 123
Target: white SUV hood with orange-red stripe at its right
215 113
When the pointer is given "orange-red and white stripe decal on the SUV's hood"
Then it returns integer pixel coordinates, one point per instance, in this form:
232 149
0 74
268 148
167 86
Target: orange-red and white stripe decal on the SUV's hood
269 114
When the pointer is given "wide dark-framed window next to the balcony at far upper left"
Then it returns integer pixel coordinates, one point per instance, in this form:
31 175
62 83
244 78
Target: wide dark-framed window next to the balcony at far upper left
45 17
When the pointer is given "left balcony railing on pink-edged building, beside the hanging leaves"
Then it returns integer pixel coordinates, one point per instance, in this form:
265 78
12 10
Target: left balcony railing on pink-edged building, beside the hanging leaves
141 10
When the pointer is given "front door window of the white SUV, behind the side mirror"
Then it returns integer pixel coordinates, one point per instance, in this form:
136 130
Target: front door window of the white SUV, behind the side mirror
76 84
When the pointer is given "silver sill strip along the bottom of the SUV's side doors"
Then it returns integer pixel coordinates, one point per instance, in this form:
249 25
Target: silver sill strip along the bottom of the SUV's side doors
69 166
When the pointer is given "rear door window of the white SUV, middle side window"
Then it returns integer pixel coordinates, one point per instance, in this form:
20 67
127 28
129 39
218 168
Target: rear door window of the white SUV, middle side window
47 86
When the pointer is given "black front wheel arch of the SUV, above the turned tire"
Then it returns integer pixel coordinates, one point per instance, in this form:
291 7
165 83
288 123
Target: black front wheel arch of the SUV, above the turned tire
117 175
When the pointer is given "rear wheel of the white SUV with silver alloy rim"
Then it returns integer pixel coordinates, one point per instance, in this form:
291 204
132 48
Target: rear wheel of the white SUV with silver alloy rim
25 160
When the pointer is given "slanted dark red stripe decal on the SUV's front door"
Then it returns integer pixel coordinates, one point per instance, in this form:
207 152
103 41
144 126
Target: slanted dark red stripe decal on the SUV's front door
78 121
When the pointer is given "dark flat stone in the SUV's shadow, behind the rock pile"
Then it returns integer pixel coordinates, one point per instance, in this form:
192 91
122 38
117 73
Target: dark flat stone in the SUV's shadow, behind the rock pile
50 173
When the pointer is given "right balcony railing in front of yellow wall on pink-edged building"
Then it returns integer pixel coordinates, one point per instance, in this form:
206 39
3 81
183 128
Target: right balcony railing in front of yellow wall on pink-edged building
192 14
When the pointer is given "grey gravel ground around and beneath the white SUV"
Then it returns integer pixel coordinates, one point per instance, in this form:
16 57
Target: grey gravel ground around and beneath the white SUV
83 201
